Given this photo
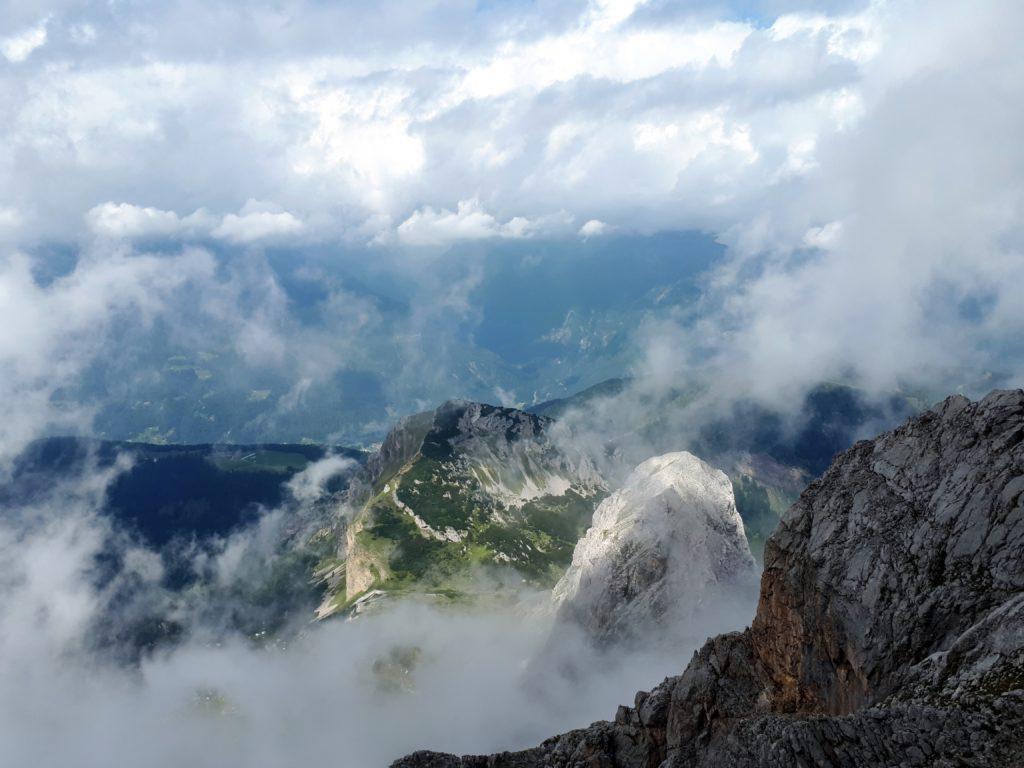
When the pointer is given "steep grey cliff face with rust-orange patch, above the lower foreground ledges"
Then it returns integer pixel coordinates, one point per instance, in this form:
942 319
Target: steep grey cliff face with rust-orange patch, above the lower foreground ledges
906 543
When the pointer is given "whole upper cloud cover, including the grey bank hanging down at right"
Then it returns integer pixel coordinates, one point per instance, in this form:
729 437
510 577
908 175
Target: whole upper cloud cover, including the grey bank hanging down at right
759 134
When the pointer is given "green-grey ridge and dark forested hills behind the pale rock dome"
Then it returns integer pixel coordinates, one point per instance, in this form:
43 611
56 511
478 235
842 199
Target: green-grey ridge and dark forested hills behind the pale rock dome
466 502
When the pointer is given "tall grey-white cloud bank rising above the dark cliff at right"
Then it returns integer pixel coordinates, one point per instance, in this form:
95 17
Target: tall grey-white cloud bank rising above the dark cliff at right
894 262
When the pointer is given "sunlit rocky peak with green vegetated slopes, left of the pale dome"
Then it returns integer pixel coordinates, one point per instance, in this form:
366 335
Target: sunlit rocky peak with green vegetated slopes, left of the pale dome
464 487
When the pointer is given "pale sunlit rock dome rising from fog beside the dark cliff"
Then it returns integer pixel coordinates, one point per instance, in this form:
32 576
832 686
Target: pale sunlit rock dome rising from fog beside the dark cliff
662 550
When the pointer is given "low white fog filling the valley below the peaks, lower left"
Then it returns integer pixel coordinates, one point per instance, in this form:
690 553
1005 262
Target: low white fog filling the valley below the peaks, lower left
350 694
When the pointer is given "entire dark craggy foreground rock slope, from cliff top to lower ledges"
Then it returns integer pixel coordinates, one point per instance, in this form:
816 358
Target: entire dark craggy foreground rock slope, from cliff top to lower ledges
890 630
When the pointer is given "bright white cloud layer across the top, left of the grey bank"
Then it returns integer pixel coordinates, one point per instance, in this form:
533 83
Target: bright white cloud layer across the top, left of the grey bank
678 121
